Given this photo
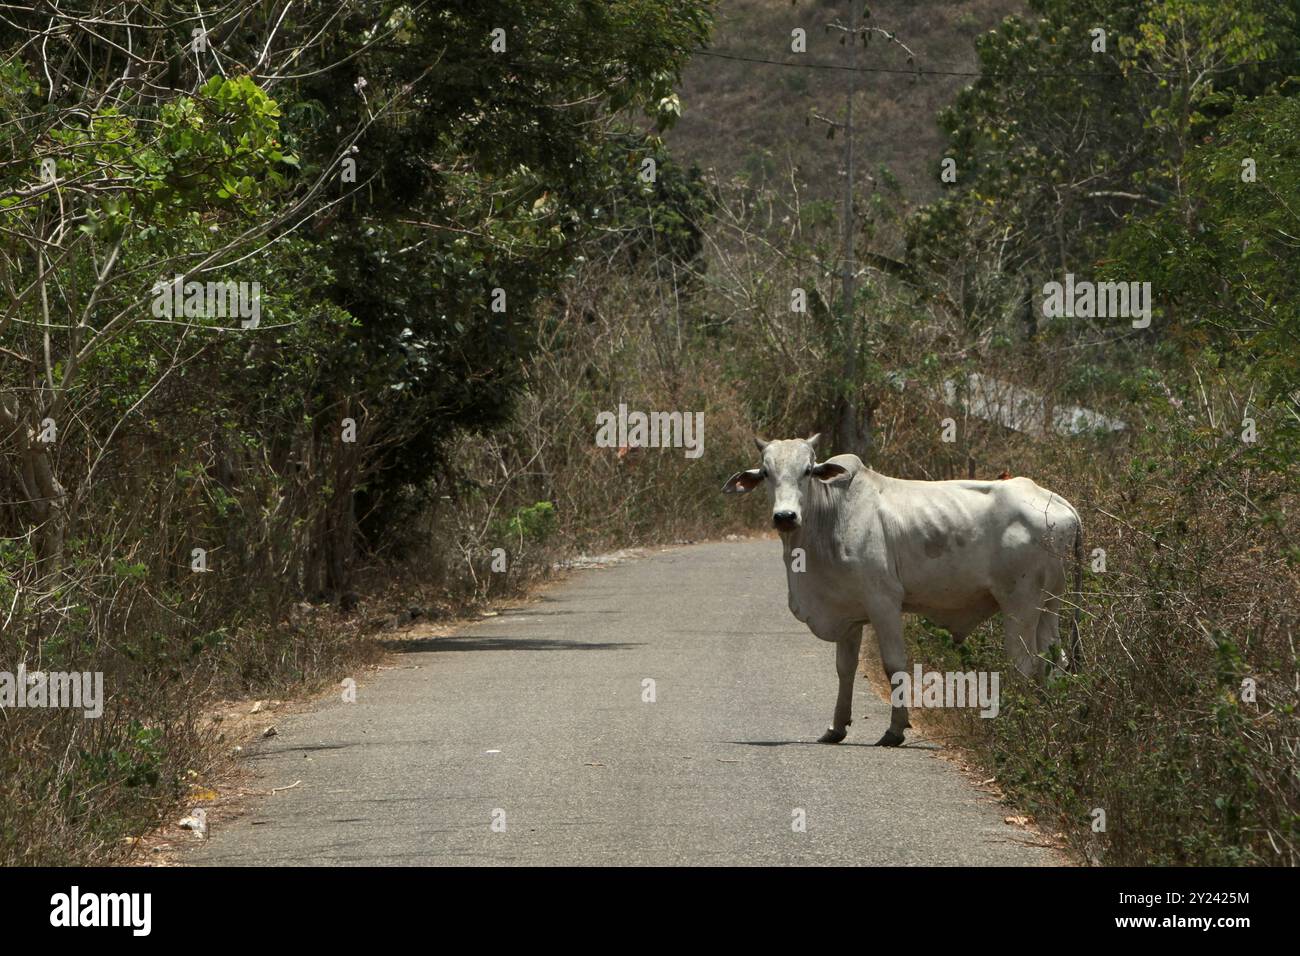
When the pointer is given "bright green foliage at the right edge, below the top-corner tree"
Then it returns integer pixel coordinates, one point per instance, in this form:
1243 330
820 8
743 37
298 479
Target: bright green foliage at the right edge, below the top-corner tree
1227 258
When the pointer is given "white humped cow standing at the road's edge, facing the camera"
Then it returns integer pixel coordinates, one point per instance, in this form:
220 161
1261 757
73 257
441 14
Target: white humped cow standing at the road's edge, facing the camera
954 552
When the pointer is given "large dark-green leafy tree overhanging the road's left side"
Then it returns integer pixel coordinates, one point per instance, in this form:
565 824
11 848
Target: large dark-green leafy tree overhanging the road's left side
471 201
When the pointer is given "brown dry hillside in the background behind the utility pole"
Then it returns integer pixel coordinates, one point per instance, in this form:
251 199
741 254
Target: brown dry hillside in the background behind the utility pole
751 118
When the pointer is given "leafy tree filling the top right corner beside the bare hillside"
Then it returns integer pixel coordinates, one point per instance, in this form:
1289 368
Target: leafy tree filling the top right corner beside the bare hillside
1059 141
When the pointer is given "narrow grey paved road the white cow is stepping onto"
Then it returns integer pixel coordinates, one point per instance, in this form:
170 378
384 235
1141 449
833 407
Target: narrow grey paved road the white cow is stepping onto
536 719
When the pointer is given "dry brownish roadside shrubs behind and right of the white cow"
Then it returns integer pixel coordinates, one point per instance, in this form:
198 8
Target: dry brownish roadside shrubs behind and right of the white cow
1199 596
